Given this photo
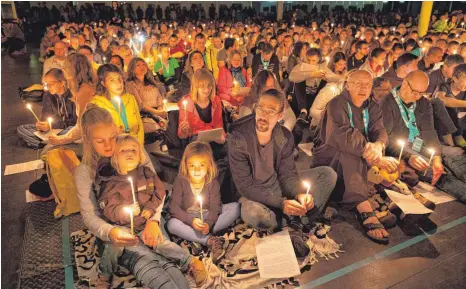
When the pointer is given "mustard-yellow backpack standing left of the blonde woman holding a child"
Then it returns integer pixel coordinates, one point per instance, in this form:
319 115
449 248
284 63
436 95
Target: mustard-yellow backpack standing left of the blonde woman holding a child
61 164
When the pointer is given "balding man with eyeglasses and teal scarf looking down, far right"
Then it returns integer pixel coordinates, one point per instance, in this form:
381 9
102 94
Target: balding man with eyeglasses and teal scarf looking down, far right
408 116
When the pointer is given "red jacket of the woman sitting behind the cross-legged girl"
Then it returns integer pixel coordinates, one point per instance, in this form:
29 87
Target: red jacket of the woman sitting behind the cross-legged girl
193 118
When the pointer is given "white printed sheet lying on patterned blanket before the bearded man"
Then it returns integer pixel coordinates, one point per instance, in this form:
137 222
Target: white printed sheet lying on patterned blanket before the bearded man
276 257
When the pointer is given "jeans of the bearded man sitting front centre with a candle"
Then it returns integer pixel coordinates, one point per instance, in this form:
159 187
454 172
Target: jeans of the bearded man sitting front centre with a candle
261 217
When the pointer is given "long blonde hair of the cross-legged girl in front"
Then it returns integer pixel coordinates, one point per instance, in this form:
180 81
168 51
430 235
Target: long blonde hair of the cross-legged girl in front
198 148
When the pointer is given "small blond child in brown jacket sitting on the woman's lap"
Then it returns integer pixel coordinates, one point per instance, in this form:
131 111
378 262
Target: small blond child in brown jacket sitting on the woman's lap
116 196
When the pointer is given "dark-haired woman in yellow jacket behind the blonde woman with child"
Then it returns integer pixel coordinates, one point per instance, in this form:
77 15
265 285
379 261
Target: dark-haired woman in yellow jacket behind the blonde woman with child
123 107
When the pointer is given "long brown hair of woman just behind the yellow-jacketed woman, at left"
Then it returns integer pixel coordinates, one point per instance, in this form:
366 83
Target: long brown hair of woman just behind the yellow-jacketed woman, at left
81 70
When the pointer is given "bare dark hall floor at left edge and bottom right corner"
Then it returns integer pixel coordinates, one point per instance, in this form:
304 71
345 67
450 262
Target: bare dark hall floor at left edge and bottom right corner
436 262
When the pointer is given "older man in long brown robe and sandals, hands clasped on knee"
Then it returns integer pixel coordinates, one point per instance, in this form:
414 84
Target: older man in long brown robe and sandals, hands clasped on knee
353 138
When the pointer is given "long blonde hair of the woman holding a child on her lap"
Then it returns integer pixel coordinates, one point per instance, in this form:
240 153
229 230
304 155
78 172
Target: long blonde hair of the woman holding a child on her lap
92 116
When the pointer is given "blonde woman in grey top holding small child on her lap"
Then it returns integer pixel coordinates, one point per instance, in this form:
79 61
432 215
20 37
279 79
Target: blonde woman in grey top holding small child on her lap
150 268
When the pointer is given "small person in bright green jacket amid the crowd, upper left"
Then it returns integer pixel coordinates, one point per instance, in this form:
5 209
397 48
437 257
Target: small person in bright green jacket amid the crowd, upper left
167 68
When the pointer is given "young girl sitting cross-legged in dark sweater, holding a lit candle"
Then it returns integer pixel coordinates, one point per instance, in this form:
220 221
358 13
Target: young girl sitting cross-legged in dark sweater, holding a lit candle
197 180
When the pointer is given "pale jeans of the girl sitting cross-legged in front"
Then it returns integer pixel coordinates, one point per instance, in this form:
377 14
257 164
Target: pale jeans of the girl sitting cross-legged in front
230 212
